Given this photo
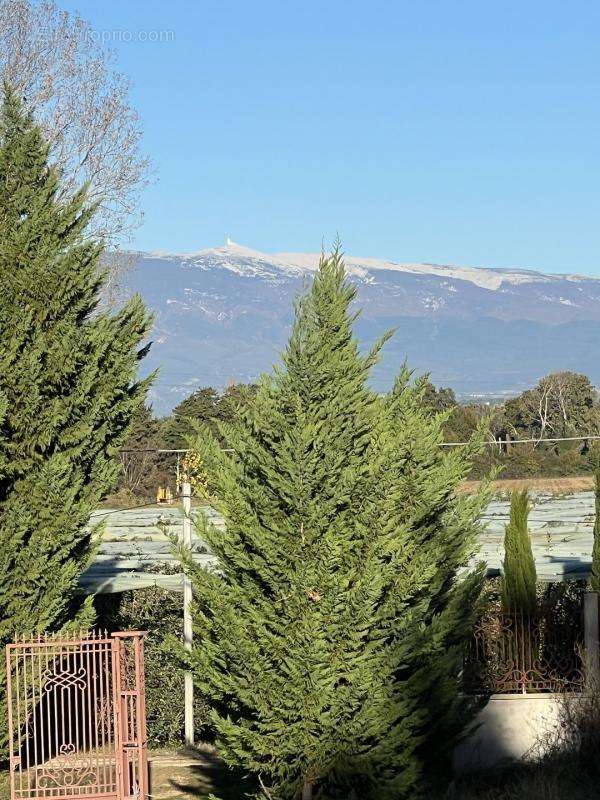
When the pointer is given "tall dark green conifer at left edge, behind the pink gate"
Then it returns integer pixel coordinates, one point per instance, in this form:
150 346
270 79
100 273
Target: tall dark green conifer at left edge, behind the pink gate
68 387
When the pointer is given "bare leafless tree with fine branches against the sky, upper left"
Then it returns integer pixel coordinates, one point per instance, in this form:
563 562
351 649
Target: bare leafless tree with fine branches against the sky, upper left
54 60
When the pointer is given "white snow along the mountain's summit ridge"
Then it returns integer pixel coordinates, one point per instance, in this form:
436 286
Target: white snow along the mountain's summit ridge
247 261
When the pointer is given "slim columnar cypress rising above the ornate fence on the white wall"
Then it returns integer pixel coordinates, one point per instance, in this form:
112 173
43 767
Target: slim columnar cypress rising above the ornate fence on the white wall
519 578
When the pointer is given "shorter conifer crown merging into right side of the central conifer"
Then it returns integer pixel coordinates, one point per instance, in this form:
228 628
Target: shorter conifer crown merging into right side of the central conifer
433 605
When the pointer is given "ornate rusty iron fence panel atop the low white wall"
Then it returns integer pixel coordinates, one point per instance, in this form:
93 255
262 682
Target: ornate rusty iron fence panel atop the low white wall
519 652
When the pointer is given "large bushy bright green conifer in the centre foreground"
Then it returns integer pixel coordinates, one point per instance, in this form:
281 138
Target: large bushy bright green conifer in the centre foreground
318 640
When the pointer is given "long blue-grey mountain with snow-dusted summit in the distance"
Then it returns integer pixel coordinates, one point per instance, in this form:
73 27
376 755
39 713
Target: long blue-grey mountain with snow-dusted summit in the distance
224 314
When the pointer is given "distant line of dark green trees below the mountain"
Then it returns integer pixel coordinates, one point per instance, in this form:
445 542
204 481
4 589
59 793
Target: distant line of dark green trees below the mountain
561 405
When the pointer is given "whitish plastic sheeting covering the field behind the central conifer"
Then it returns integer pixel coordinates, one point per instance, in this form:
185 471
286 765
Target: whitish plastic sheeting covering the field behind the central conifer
136 543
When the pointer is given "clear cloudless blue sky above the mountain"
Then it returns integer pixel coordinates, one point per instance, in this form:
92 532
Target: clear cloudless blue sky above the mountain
451 131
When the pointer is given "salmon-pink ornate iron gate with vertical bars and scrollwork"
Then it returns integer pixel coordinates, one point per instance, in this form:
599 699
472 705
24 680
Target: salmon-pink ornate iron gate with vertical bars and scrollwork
77 717
